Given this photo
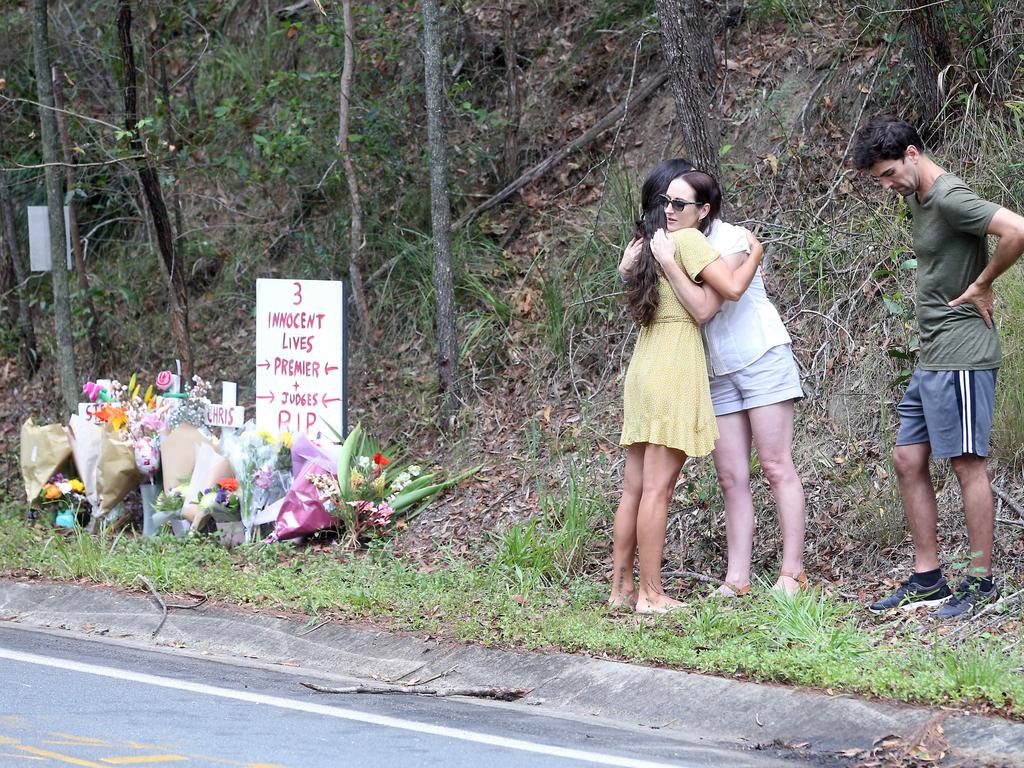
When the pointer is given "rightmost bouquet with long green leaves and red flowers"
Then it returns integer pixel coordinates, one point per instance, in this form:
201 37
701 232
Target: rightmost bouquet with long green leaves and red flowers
369 496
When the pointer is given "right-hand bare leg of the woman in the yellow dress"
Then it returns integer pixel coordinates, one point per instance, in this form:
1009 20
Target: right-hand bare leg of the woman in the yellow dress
661 471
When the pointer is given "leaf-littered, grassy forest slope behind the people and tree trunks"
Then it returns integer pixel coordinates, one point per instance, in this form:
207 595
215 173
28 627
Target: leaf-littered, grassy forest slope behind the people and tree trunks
544 335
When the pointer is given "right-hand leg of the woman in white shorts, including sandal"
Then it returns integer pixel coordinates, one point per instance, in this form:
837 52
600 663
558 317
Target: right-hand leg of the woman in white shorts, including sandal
773 428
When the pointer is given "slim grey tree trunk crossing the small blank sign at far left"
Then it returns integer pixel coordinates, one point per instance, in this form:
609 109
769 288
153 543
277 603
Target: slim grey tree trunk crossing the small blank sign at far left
55 203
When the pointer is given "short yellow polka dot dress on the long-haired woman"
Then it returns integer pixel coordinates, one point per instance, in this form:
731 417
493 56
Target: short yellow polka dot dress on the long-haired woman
667 401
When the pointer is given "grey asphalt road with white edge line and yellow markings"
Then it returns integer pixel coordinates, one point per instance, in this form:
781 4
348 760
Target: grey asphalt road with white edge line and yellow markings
75 702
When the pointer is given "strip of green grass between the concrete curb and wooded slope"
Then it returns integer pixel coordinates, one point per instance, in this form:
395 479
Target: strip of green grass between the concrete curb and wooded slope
812 641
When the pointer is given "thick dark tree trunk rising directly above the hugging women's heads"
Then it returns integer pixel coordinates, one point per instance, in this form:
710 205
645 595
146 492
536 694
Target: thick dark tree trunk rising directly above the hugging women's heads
690 58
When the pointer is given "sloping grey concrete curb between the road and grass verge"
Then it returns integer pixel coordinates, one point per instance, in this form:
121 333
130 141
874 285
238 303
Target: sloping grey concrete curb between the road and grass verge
734 712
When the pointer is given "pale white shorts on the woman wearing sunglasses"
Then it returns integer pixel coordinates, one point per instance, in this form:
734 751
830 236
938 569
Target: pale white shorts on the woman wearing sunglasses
772 378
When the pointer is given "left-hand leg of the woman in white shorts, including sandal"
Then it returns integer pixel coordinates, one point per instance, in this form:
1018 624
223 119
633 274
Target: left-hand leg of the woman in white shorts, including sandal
733 462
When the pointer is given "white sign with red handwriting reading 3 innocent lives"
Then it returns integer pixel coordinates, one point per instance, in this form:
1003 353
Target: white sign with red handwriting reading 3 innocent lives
300 357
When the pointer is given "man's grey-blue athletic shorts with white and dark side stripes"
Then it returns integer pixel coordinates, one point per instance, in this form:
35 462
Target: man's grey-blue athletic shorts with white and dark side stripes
951 410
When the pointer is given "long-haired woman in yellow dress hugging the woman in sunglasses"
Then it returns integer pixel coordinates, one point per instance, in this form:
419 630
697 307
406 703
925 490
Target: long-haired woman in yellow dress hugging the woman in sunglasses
667 404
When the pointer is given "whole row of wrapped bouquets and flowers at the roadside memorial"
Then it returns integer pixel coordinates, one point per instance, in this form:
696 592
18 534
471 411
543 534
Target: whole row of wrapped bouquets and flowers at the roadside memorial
241 485
